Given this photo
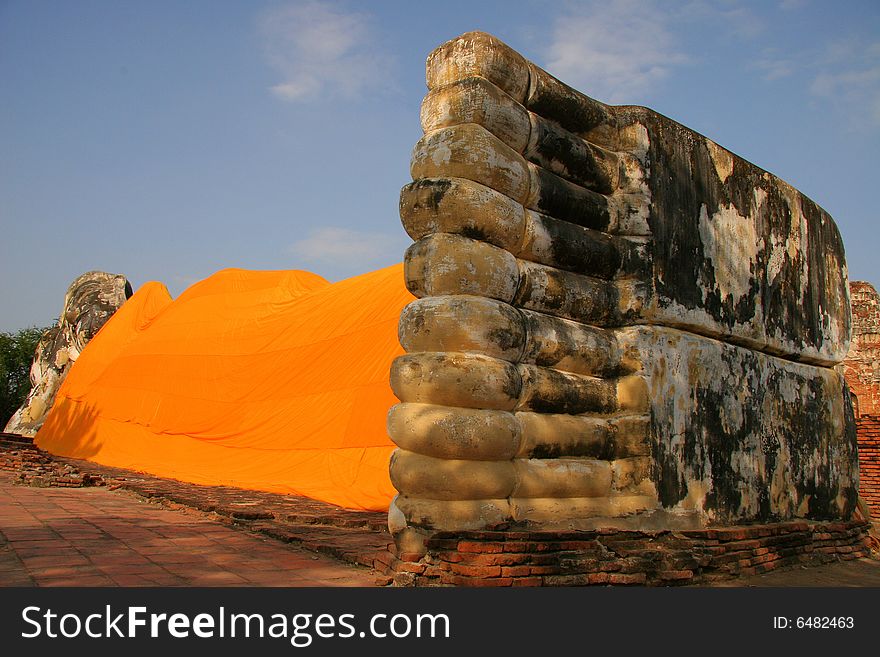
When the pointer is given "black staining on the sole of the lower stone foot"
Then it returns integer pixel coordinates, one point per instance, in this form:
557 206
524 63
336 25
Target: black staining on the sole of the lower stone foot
746 457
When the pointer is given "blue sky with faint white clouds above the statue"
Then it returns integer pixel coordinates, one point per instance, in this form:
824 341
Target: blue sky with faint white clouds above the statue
168 140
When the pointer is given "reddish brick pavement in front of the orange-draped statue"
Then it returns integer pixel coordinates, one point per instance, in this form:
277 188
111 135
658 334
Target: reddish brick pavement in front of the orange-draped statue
97 537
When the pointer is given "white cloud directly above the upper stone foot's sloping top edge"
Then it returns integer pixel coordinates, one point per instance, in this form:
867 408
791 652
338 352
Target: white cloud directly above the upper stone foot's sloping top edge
616 51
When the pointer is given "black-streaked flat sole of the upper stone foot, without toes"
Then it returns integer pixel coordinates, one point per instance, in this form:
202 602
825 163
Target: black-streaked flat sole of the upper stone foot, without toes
738 253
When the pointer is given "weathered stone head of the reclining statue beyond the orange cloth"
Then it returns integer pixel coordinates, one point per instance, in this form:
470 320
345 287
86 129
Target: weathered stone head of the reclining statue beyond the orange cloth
89 302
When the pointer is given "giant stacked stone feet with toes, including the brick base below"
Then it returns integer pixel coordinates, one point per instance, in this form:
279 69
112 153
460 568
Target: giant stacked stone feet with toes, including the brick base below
623 333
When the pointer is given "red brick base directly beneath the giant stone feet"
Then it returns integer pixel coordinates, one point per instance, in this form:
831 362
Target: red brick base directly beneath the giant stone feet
657 558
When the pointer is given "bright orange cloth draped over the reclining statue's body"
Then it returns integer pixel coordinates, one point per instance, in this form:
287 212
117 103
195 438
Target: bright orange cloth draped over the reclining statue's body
274 381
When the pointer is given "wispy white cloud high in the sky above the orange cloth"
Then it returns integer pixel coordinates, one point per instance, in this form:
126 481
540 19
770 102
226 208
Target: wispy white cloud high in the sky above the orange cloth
317 49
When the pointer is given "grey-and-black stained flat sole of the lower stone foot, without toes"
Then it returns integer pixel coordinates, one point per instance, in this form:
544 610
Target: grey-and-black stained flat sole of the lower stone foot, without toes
741 435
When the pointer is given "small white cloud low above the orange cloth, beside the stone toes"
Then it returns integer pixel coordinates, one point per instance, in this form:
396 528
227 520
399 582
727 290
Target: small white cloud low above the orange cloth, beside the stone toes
347 247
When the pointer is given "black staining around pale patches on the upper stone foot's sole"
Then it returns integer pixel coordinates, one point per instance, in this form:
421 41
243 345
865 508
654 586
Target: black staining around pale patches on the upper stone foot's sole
801 290
